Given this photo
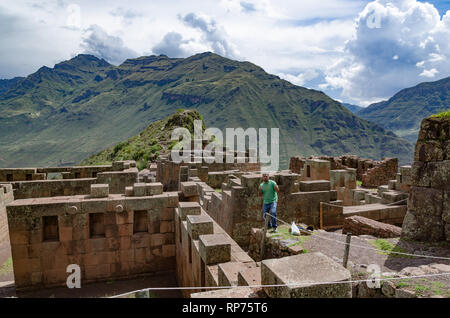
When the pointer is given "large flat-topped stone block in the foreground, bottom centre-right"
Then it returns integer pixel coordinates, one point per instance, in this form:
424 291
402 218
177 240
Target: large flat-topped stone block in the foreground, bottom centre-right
300 272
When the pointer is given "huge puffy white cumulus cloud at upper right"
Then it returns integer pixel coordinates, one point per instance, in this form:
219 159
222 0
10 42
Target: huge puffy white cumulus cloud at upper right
397 44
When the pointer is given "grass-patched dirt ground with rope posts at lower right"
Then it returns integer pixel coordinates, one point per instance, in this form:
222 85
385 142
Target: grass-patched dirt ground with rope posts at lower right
362 255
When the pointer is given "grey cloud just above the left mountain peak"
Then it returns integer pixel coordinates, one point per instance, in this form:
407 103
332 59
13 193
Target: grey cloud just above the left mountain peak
111 48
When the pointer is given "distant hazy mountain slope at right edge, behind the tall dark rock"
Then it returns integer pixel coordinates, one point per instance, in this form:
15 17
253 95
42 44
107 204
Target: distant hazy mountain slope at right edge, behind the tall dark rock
404 112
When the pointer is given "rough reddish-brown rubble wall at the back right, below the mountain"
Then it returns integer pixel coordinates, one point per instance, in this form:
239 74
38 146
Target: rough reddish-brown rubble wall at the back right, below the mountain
372 173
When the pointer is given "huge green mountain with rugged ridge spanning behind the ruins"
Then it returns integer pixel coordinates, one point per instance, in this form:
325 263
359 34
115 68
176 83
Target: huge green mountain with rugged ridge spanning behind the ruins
85 104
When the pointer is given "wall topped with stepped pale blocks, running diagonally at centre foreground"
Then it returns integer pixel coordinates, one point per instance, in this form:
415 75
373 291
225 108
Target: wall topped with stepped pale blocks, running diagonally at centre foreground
205 254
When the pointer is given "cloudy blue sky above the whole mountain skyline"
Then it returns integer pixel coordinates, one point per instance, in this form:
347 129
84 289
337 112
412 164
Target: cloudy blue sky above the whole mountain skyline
356 51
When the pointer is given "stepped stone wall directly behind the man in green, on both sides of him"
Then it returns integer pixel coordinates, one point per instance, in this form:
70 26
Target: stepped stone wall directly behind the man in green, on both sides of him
238 207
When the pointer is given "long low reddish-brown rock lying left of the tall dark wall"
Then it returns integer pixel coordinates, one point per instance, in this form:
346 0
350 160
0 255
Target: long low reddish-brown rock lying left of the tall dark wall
358 225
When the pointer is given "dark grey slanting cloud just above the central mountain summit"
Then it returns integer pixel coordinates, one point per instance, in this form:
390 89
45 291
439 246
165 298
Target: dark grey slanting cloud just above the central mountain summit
212 34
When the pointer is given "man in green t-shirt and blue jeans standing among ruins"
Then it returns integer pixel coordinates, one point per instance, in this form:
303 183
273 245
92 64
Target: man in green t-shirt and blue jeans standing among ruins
269 190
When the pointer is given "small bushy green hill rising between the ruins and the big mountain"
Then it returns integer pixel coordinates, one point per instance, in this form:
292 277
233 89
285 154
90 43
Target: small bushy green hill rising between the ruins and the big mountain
153 141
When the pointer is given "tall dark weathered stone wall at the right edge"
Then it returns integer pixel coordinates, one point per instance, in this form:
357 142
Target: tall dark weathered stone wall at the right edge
428 216
